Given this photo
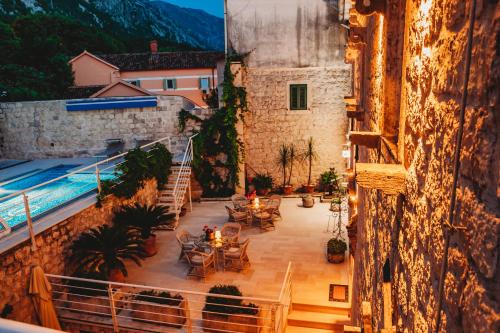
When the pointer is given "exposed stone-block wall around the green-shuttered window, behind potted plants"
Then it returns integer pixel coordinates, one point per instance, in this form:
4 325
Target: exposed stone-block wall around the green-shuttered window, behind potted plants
269 123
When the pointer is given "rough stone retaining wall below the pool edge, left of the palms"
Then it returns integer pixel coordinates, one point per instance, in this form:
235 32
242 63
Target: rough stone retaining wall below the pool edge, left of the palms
53 251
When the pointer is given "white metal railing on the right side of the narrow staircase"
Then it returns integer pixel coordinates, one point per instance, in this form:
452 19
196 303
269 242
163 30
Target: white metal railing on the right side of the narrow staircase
182 183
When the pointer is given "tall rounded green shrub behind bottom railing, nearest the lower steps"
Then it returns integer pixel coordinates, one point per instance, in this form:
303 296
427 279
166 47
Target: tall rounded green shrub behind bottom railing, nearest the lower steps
227 306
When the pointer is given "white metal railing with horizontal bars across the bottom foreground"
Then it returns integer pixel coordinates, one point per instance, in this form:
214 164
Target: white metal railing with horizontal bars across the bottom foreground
123 306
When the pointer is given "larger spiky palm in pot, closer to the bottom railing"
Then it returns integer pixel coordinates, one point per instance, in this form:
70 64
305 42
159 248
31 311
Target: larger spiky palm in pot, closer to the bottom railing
103 249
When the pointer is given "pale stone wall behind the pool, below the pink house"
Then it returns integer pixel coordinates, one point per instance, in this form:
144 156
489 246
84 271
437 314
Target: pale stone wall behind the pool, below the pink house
45 129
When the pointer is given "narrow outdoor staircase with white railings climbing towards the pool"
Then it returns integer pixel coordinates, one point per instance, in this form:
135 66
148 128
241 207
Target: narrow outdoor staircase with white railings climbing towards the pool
173 196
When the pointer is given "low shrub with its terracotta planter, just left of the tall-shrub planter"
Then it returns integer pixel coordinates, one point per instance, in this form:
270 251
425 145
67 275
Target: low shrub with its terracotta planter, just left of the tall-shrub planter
159 308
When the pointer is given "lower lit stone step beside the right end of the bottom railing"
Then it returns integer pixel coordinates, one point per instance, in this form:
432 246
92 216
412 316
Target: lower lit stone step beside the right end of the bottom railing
318 320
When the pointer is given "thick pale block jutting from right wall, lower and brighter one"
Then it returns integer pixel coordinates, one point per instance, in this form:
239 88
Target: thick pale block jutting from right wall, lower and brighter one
389 178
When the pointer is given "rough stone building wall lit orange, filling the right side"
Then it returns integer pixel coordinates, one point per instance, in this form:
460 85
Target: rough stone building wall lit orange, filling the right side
408 229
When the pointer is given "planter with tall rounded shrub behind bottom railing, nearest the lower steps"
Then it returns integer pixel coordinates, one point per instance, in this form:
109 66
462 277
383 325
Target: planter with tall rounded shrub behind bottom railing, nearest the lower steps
222 314
